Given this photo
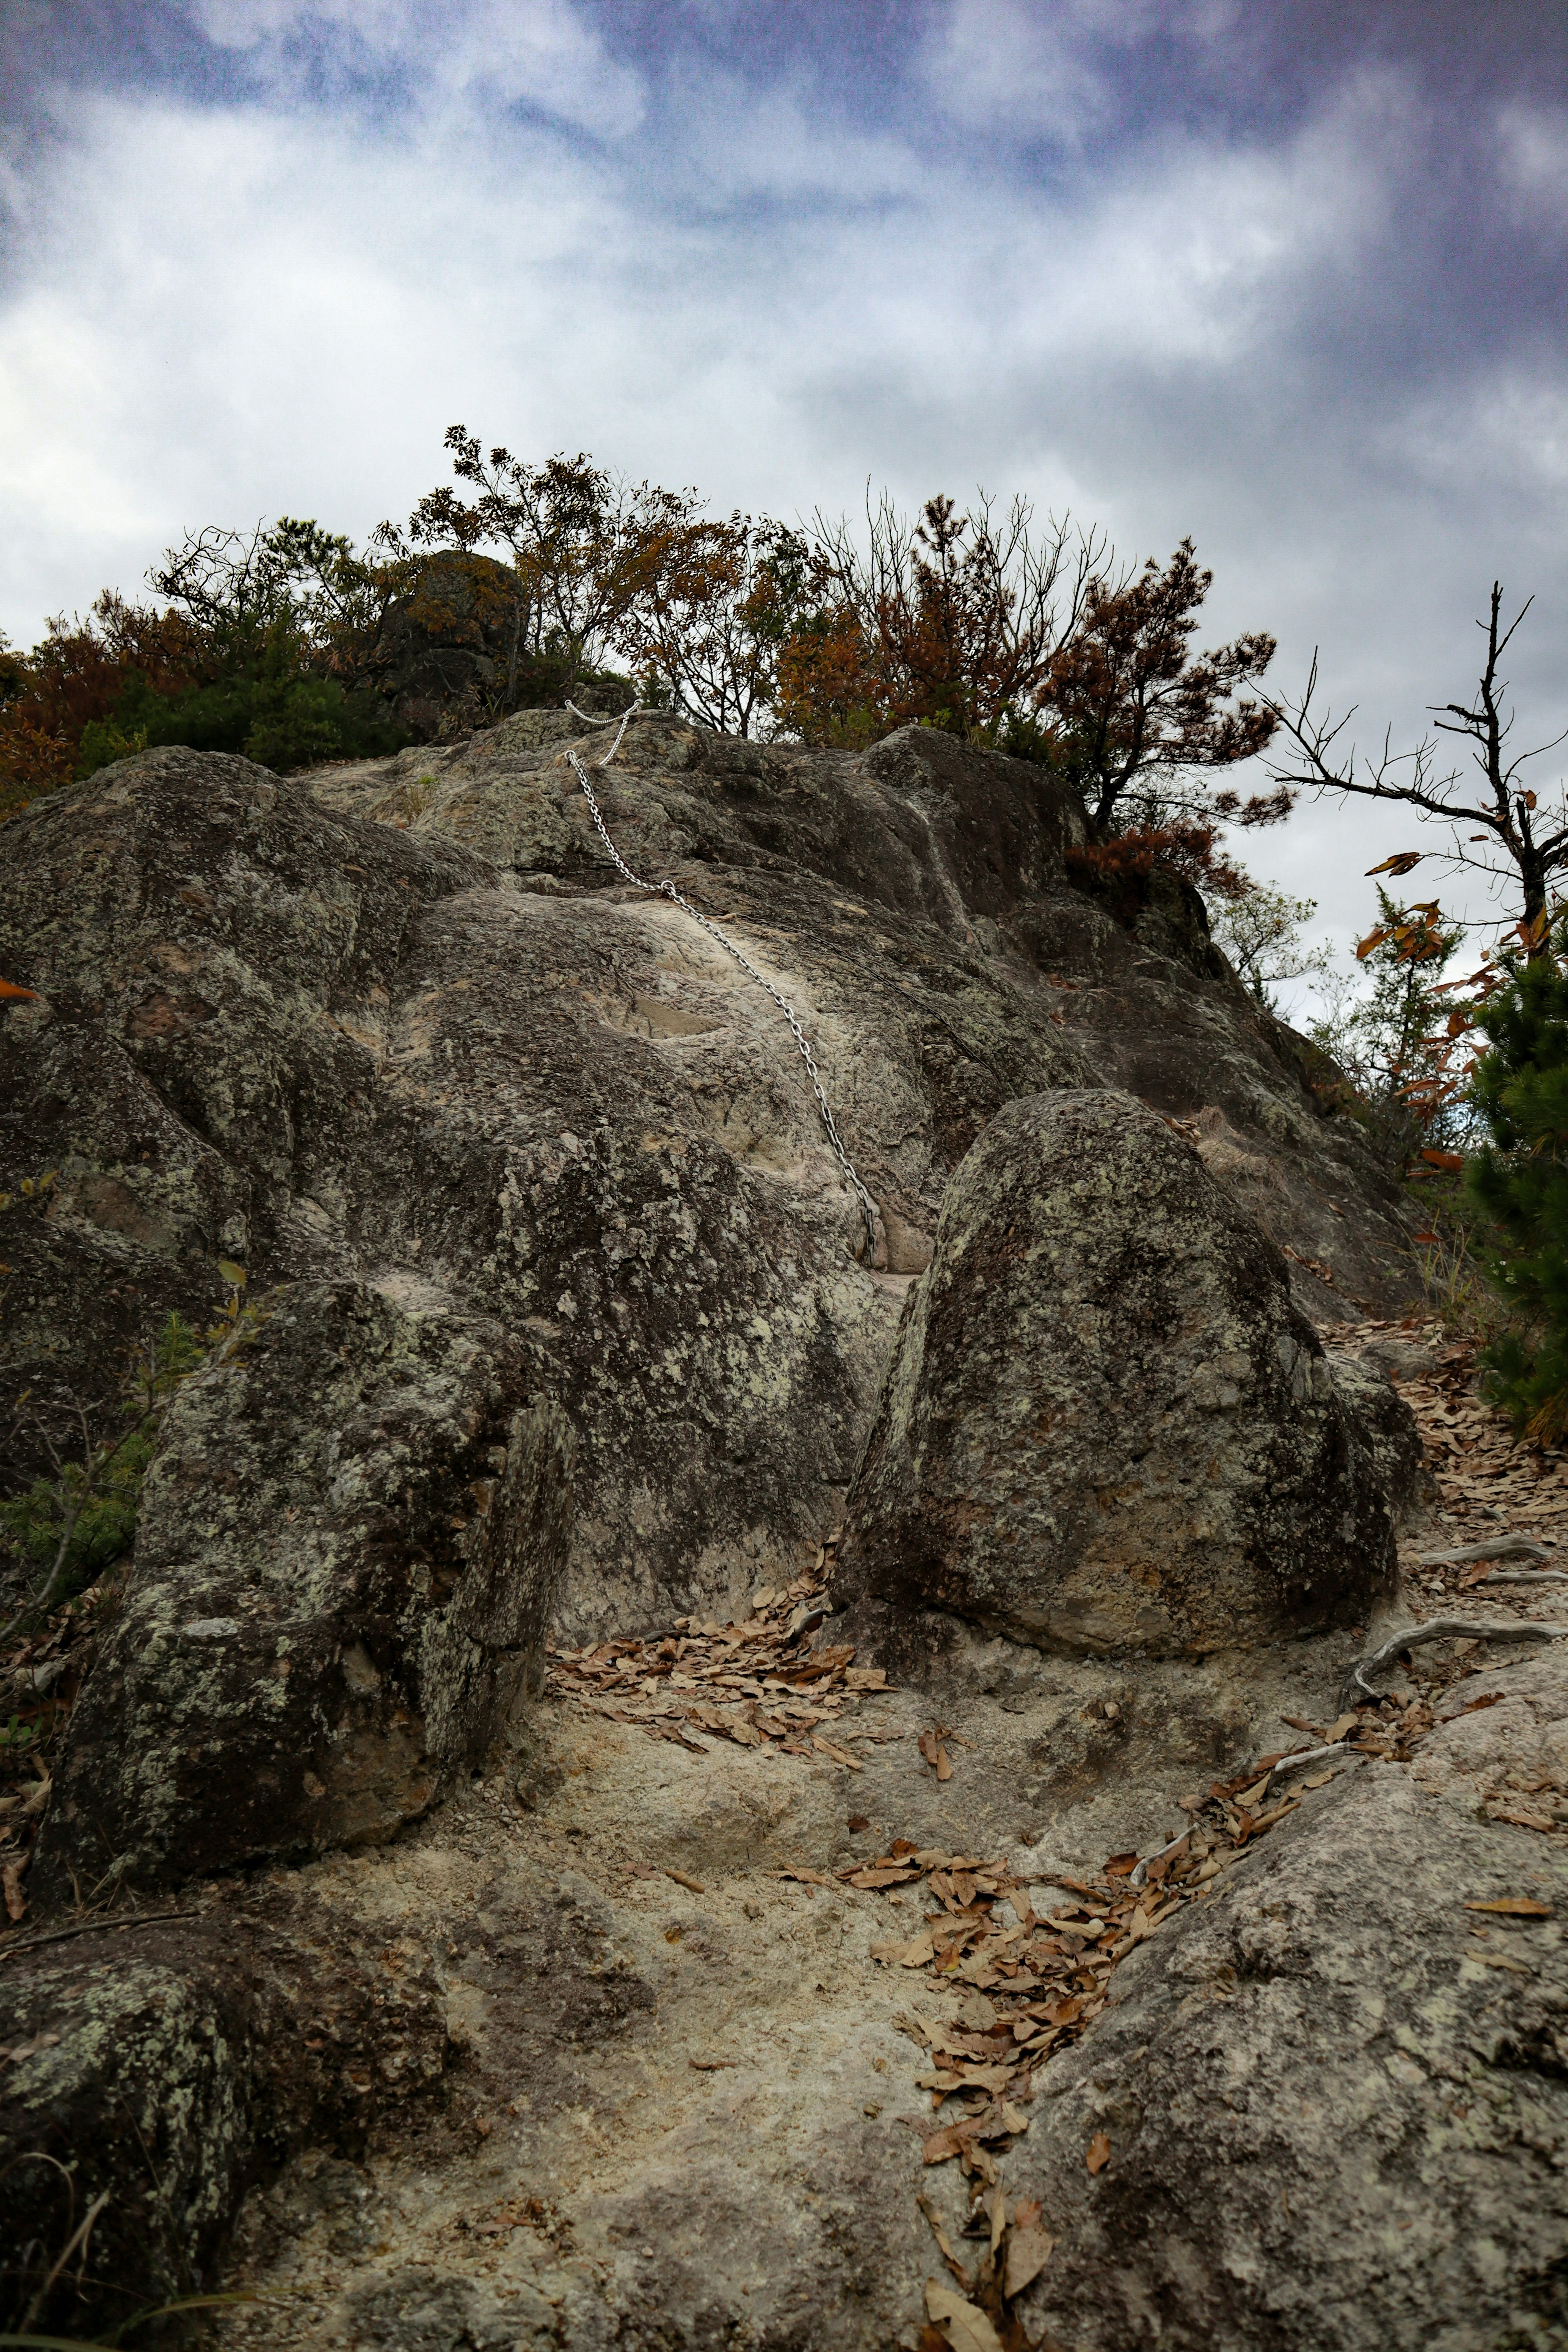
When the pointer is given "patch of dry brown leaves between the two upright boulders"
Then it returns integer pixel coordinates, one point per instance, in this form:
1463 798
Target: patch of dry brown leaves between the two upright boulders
758 1683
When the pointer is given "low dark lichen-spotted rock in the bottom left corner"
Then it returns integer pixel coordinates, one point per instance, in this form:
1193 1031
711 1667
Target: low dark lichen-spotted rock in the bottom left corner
166 2066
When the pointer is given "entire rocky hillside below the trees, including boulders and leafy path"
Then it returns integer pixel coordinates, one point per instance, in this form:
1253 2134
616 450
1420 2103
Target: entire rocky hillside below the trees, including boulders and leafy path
469 2003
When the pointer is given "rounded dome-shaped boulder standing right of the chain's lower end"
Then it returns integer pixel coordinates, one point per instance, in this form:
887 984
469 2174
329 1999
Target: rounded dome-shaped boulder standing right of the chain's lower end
1104 1424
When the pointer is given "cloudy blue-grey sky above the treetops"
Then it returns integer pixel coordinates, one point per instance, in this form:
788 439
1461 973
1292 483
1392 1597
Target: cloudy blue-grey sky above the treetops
1285 276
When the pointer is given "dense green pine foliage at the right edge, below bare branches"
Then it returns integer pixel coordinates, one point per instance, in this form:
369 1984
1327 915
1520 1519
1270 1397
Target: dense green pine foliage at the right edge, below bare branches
1520 1180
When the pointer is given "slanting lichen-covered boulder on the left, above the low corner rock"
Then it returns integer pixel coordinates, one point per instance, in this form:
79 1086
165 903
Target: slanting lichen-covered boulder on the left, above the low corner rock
349 1549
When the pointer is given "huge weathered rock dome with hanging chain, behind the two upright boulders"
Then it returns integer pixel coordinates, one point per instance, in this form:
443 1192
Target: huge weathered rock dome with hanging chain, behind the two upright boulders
410 1017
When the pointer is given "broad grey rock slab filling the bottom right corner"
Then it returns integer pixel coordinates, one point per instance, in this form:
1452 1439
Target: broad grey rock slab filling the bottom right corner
1336 2099
